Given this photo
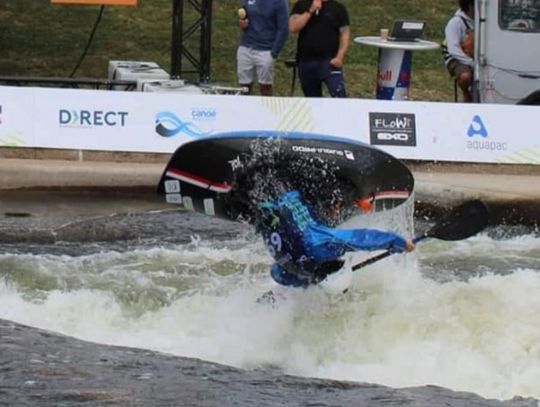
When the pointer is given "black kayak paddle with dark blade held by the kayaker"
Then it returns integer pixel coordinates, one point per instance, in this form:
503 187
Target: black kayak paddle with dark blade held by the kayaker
462 222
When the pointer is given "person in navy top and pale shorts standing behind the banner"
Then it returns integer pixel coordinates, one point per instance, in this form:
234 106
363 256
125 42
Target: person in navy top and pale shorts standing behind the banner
265 30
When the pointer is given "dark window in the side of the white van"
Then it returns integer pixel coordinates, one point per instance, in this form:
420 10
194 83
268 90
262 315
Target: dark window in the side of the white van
519 15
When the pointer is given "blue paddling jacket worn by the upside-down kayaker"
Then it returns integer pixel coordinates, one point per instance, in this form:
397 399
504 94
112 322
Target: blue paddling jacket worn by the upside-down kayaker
306 251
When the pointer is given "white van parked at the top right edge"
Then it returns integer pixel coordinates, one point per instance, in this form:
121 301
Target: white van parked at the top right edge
507 51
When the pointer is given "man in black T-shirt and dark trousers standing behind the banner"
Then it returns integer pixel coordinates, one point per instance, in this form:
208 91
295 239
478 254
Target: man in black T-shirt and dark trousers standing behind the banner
323 40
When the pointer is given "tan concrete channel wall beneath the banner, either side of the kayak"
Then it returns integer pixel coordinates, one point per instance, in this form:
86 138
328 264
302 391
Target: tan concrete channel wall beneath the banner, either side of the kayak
511 191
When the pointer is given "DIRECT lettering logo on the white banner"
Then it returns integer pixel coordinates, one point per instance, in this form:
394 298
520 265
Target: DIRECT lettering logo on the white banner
91 118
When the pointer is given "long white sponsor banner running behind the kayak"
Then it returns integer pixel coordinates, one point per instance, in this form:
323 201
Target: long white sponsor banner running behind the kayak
160 122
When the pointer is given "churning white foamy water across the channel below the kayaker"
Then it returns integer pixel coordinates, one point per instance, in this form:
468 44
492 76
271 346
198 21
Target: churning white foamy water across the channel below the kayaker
394 327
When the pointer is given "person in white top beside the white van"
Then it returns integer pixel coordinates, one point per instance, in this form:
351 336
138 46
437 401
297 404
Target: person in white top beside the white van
458 47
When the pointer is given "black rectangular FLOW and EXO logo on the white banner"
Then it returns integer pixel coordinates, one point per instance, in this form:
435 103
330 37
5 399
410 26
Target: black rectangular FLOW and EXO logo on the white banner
392 129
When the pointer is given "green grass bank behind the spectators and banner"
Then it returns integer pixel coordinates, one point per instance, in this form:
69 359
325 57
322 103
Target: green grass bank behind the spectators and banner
38 38
